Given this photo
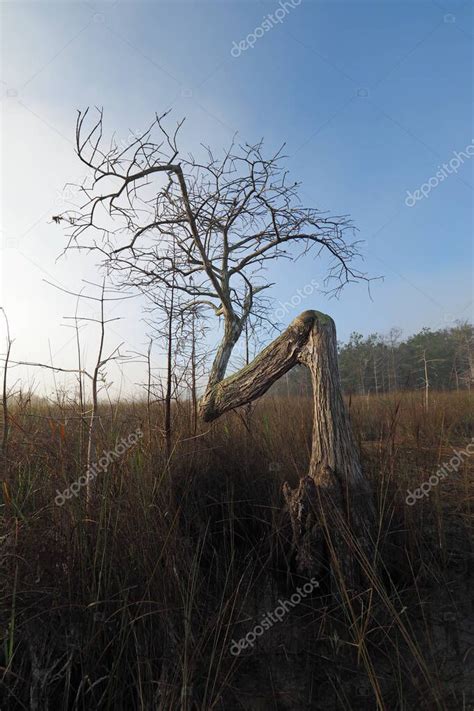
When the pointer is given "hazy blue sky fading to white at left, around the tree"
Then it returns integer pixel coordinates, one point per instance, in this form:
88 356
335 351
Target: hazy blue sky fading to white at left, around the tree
370 98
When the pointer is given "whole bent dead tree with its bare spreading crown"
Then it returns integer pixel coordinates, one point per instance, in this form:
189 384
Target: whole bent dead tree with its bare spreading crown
228 218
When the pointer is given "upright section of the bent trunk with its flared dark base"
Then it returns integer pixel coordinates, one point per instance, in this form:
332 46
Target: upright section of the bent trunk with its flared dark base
332 508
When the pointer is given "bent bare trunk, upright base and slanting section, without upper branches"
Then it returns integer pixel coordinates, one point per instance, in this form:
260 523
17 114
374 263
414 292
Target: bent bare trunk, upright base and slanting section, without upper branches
331 510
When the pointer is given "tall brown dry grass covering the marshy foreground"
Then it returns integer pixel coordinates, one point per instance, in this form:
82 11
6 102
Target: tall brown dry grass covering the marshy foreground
132 603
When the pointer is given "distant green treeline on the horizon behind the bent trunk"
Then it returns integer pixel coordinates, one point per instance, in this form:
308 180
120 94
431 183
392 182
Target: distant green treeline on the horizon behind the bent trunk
442 360
